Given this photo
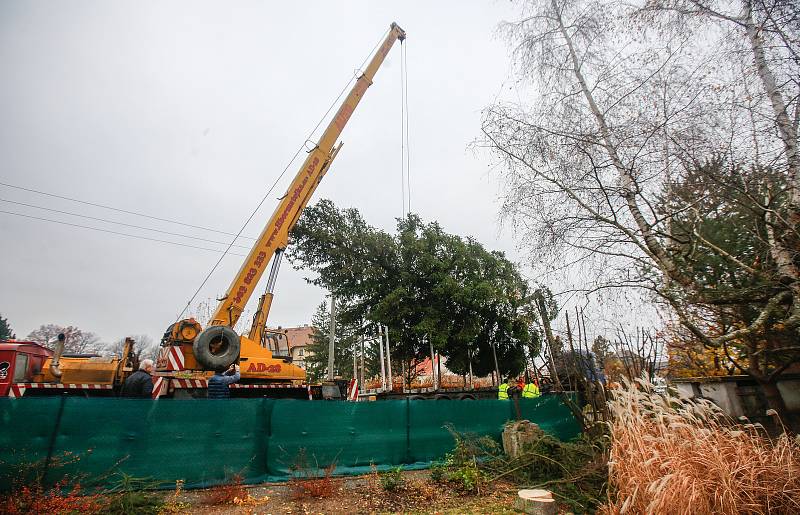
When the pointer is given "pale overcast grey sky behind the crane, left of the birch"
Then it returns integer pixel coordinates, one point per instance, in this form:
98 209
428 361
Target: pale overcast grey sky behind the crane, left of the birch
188 110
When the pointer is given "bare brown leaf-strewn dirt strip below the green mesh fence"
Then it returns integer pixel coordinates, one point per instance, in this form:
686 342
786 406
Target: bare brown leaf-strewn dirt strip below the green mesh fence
361 494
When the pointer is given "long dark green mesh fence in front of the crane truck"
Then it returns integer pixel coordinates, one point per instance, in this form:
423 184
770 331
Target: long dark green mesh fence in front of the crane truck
204 442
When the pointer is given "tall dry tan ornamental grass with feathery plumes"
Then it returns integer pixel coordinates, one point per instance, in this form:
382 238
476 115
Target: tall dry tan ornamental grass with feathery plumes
671 455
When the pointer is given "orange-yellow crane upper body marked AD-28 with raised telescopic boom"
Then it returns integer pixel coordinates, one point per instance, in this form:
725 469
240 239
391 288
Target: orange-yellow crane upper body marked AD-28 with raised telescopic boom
187 346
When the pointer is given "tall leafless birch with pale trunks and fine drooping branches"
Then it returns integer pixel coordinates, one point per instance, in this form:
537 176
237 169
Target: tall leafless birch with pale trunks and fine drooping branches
626 102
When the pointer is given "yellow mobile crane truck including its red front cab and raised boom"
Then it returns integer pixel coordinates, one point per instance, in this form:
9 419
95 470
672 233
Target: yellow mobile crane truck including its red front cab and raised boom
189 353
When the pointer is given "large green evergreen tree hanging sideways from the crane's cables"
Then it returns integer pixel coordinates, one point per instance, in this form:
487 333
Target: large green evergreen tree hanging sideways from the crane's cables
427 286
